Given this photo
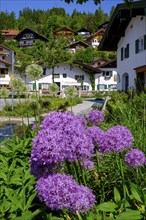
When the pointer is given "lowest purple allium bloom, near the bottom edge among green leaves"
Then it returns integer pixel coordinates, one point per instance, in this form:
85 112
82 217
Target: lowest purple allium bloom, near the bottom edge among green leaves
62 192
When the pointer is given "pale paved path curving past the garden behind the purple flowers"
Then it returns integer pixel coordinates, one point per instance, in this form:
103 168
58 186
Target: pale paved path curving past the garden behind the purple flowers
80 109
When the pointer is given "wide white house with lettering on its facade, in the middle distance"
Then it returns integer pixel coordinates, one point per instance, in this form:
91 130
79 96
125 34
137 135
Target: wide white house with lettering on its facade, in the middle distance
63 75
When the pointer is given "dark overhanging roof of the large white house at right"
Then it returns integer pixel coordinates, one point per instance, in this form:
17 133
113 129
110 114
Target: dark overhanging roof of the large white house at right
119 21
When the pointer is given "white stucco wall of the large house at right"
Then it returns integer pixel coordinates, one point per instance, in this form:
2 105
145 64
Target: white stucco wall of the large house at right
135 30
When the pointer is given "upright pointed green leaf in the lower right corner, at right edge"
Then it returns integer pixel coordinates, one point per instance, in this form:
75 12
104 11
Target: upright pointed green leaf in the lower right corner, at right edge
137 192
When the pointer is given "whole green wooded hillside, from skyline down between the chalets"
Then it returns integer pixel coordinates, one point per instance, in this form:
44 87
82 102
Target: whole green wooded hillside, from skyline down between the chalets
45 23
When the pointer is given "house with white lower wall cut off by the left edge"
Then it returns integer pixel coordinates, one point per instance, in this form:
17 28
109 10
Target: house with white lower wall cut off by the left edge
6 65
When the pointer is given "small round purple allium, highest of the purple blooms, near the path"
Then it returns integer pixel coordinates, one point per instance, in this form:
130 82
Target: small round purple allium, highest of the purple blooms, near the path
96 116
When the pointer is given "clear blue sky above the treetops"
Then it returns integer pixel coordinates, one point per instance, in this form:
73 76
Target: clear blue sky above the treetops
17 5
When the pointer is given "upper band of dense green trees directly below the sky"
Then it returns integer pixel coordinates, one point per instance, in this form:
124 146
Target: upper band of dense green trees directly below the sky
49 20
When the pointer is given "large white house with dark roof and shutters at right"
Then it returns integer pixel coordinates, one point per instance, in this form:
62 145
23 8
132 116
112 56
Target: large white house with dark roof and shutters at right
126 34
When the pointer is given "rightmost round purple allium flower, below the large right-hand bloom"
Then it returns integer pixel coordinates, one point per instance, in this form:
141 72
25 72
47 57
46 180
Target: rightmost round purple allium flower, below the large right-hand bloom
135 158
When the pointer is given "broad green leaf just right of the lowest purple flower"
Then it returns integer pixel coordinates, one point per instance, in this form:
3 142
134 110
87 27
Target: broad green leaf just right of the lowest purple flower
107 207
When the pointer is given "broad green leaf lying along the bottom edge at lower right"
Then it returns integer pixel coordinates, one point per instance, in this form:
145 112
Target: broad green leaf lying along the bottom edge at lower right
133 215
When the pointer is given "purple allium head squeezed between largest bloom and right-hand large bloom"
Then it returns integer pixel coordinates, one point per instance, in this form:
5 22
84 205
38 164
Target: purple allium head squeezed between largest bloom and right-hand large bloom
94 133
